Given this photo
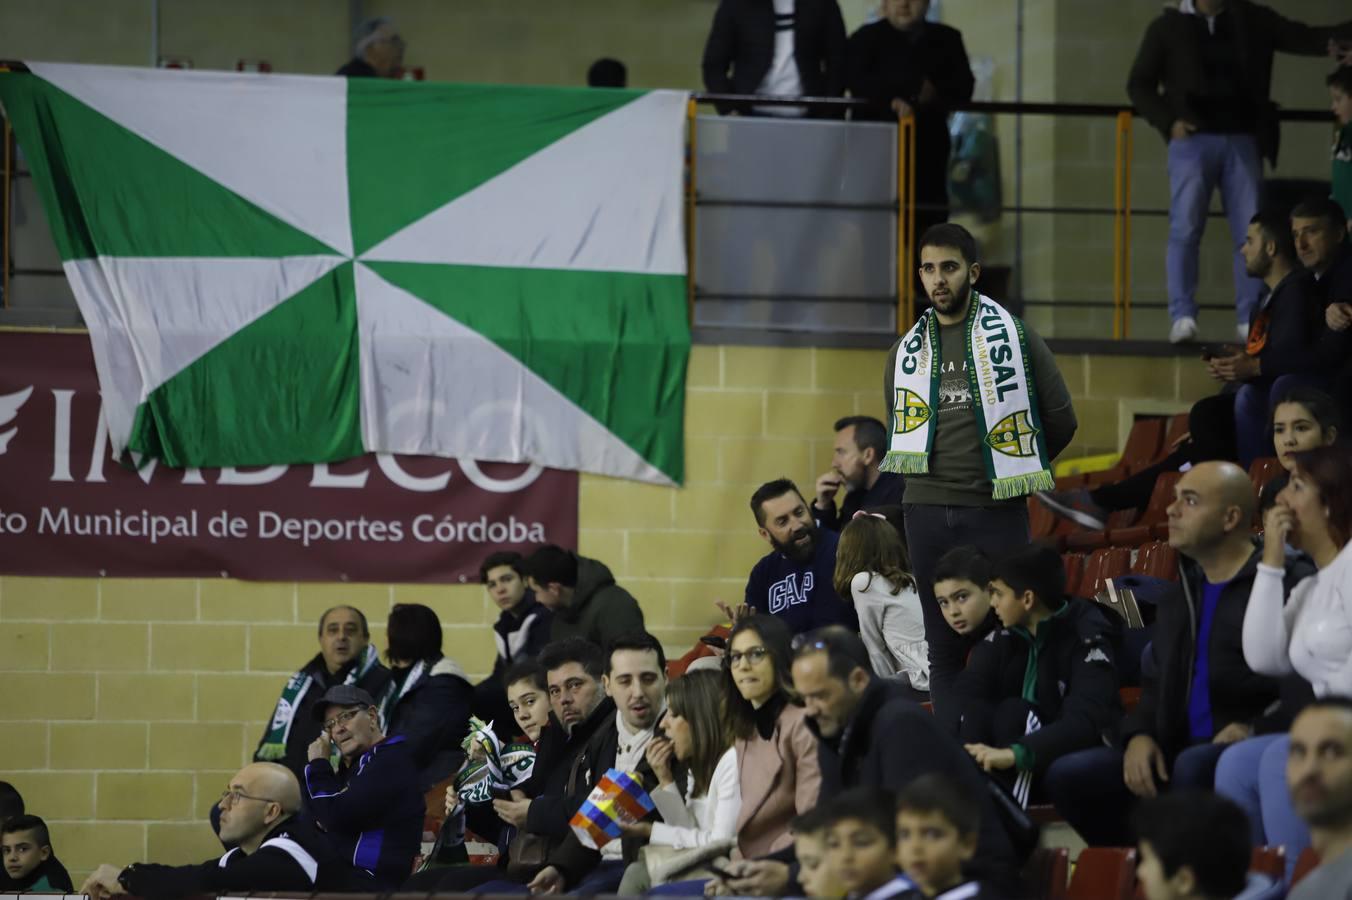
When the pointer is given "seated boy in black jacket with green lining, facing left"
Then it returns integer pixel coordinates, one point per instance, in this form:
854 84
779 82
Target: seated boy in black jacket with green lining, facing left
1044 686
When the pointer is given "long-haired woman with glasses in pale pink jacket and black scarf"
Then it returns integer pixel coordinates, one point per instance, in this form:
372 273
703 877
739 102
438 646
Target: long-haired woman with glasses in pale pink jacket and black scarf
778 770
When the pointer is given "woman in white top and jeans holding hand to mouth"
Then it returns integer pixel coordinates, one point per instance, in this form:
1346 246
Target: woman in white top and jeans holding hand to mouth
1309 634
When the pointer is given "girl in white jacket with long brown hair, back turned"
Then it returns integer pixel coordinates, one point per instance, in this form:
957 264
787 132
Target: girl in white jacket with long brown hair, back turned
874 571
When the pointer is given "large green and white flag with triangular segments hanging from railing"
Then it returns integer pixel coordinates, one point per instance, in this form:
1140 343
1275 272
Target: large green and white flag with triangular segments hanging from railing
302 270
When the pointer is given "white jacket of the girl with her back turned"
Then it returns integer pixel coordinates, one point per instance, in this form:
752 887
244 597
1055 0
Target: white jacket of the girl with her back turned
893 629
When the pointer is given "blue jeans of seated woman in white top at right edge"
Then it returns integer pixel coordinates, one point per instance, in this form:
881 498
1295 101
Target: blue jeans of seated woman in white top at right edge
1254 775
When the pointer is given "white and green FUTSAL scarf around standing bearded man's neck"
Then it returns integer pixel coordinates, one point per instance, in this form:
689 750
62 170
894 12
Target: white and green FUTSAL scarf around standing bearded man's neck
1004 401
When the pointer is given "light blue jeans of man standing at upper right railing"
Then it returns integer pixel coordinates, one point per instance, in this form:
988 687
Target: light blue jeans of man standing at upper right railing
1199 166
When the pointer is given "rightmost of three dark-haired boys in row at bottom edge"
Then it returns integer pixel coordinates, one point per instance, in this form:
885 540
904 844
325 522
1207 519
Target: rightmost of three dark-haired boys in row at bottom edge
938 822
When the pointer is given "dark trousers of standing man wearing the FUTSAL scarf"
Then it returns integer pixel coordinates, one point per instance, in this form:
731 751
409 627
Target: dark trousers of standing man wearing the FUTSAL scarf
931 533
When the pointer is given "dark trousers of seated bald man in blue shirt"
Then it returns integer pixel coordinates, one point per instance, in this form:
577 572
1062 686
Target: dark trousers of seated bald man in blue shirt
1089 791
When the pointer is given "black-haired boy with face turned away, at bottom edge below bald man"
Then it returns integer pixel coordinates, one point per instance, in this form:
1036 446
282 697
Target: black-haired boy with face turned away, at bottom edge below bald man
1174 864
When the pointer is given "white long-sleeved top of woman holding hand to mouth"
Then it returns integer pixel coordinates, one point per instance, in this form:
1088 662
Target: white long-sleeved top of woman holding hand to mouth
1312 634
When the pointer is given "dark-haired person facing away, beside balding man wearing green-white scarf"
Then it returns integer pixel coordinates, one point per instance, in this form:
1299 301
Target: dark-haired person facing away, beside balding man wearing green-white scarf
428 699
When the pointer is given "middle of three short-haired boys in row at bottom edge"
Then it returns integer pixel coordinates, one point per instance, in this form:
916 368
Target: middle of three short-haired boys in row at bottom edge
862 845
